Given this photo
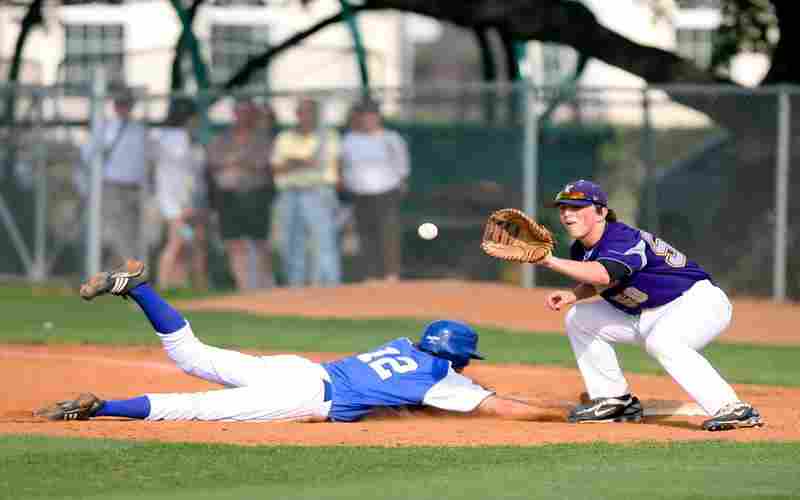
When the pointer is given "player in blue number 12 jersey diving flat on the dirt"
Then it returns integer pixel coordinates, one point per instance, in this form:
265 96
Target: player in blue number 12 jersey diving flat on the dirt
287 387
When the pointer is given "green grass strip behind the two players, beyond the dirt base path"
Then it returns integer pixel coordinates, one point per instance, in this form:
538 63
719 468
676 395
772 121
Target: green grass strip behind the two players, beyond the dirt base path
121 322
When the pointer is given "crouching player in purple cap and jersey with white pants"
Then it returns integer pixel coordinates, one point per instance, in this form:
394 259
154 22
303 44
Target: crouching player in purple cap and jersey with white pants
654 297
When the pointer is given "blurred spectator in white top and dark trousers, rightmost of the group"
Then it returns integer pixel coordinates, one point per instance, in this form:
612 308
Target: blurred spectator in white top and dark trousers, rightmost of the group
375 169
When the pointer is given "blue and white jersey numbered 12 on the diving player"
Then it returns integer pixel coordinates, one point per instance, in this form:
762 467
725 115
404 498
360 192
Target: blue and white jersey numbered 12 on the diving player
398 374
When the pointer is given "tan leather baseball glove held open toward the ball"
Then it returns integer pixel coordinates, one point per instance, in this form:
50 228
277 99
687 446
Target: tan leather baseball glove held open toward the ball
509 234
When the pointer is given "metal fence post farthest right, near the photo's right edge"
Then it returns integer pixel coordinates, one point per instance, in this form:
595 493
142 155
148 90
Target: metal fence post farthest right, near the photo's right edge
781 197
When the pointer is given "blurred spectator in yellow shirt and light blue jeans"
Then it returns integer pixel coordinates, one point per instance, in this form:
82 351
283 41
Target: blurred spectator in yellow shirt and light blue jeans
305 162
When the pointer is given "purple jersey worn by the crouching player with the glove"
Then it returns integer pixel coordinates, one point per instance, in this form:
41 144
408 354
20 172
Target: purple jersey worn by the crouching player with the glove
657 272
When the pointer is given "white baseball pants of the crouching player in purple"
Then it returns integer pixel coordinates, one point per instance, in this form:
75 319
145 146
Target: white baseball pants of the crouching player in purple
672 334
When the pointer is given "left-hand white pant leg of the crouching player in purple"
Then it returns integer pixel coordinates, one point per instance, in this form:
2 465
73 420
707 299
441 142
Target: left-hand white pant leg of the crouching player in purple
592 327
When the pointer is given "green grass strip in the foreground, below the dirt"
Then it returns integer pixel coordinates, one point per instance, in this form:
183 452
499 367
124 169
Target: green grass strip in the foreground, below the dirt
38 467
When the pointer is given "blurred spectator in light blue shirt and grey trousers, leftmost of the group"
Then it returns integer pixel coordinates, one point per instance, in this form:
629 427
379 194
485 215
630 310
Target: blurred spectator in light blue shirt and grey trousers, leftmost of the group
123 144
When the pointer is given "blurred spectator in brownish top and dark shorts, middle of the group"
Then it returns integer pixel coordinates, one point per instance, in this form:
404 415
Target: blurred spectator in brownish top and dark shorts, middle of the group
243 192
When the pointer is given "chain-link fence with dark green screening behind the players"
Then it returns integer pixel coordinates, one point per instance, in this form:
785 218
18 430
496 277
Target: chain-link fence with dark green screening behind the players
705 168
